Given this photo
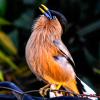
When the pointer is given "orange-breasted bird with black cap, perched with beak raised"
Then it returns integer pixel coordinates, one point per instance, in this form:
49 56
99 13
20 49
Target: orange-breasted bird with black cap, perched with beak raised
48 57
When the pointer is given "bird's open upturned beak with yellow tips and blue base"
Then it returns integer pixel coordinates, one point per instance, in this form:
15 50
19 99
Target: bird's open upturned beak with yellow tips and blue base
45 11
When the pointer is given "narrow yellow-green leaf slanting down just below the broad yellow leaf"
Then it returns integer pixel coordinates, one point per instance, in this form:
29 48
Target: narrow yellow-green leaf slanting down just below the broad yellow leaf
4 58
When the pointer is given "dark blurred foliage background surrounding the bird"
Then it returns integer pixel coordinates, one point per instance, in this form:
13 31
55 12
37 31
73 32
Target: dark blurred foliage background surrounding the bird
82 38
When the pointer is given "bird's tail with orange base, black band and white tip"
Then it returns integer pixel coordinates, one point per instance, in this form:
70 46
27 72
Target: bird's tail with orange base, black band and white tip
78 87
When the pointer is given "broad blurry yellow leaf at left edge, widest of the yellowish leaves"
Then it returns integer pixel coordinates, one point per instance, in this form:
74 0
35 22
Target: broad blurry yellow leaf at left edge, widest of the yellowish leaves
7 43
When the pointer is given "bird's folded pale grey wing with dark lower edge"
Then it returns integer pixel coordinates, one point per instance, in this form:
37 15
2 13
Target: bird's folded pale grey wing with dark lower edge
59 44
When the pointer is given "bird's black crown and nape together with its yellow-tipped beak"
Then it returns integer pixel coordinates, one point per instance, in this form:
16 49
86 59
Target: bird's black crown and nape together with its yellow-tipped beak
53 15
